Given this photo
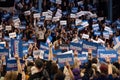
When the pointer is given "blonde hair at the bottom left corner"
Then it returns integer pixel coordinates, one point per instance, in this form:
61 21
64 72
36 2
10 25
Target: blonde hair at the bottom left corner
11 75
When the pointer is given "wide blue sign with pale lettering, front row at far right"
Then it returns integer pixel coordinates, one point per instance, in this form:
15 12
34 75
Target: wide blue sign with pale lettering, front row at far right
108 53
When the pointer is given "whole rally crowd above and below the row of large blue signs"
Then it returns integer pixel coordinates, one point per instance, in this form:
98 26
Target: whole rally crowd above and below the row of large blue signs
65 21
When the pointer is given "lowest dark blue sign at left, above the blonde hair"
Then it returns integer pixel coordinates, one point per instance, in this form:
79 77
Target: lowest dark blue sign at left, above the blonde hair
12 64
